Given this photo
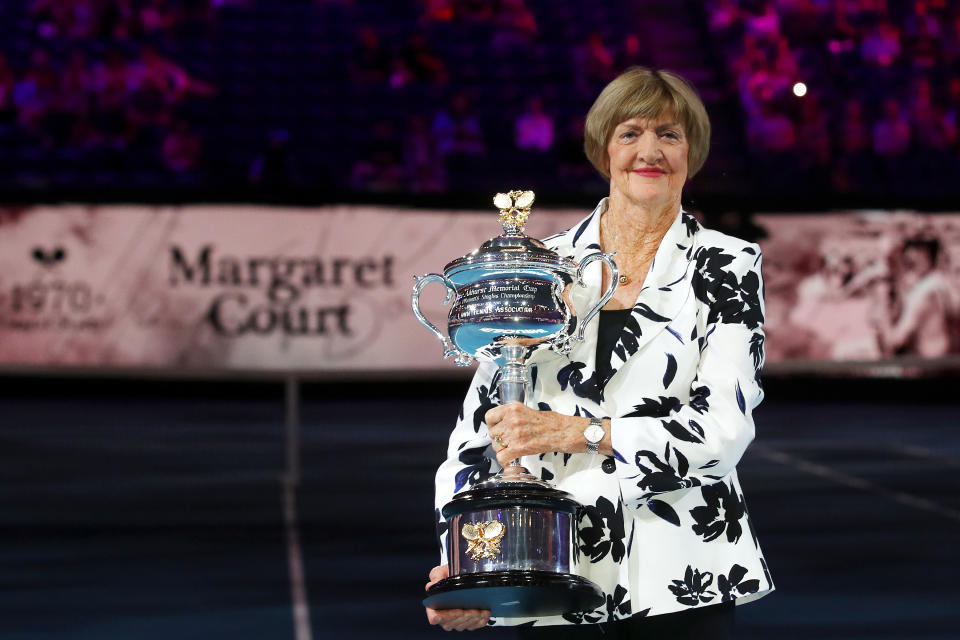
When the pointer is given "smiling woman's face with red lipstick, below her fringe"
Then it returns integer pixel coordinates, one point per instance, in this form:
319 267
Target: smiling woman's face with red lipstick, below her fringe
648 161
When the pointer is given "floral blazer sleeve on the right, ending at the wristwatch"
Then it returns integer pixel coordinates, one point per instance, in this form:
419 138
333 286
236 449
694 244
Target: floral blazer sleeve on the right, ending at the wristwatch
703 439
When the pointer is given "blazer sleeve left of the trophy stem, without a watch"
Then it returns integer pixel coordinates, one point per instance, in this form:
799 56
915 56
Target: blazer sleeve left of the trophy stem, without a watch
470 457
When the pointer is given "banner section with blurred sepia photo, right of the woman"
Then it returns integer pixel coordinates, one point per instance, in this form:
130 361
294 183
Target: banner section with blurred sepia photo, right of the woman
862 286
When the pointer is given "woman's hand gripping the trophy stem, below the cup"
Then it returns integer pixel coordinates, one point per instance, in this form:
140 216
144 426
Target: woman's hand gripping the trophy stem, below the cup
517 430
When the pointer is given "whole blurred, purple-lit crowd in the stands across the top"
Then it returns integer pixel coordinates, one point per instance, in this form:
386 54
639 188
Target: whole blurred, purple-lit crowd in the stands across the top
435 93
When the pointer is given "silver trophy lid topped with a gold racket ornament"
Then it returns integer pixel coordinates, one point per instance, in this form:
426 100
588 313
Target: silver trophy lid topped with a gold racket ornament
513 246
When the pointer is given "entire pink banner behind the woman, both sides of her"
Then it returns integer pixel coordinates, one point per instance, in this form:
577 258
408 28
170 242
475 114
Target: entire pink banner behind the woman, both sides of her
327 290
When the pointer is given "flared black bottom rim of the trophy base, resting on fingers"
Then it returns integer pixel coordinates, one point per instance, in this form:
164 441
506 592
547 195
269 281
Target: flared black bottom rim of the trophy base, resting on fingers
516 593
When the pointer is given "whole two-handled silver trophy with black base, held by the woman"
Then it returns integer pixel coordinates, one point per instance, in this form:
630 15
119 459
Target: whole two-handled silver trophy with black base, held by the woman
513 539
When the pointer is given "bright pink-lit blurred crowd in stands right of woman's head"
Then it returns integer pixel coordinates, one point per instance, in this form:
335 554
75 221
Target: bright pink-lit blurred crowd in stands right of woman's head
879 103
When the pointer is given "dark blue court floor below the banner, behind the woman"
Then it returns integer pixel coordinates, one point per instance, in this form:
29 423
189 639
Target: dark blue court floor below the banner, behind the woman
155 510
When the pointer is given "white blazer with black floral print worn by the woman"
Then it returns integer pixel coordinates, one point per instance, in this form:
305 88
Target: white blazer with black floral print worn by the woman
665 526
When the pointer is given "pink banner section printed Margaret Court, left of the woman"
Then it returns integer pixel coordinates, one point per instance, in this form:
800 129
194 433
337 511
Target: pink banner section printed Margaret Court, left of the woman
231 288
